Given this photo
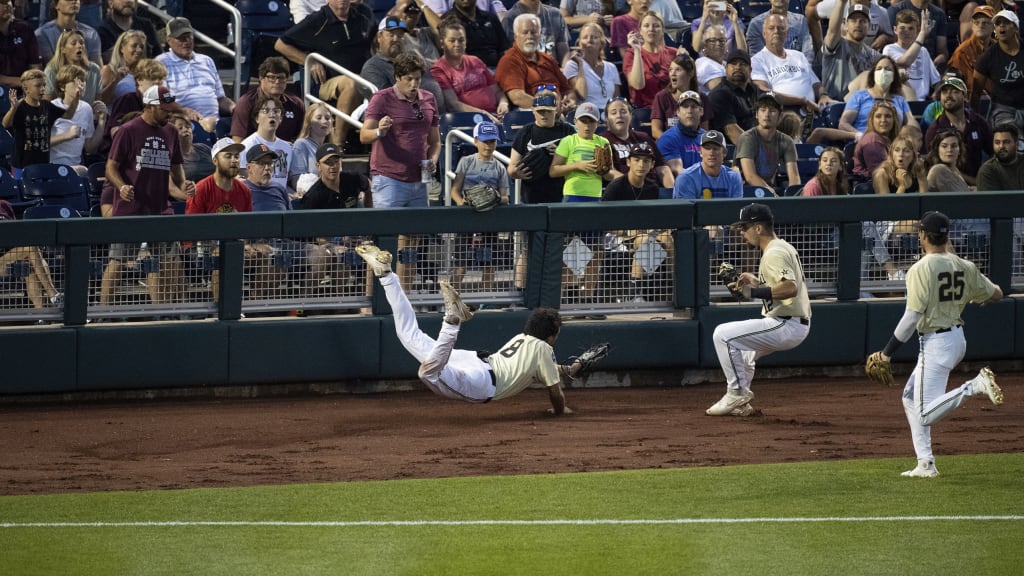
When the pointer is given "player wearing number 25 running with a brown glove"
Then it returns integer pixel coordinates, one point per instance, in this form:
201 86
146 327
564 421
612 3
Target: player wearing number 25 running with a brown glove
938 286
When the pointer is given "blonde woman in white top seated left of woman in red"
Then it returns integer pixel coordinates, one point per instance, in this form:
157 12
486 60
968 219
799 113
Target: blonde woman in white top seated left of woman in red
594 79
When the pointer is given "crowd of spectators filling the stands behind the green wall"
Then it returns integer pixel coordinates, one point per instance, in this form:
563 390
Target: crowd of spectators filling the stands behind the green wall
906 98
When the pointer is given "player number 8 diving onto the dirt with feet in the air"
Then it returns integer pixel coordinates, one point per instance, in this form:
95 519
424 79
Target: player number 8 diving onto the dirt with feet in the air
463 375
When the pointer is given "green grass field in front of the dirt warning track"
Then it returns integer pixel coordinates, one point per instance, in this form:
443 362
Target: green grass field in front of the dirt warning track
832 518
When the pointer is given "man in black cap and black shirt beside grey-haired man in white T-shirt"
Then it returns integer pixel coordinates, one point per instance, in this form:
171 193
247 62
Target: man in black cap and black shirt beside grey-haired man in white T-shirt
735 98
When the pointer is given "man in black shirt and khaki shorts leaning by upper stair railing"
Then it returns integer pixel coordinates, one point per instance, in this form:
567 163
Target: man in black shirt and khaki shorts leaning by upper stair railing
342 31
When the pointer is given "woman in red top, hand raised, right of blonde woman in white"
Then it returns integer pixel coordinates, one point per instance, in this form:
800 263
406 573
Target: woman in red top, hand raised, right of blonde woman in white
647 63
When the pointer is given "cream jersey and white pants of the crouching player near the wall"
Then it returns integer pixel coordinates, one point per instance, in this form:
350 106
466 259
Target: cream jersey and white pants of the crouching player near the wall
784 326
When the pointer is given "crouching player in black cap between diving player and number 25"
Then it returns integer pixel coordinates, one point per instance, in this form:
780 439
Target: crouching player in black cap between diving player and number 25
786 315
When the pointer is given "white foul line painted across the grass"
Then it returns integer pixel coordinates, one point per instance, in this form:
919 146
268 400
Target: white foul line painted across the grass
457 523
